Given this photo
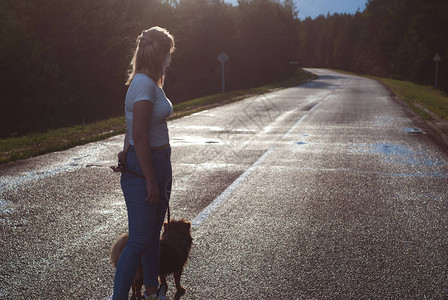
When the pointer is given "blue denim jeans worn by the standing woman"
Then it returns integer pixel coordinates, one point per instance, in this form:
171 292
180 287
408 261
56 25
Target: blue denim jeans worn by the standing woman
145 222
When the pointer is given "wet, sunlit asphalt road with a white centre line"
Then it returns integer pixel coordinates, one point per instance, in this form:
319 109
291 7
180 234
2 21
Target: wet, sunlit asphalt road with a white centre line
326 190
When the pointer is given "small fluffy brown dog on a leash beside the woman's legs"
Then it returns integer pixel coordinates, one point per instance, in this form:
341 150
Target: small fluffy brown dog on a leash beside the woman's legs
175 245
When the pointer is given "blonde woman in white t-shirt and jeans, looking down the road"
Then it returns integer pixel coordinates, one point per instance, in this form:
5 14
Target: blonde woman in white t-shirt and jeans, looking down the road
146 152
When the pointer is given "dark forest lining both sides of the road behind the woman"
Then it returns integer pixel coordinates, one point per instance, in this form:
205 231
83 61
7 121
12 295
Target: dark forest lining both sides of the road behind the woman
65 62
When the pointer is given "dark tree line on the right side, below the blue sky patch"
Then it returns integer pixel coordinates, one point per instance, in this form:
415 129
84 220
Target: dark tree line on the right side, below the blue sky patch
390 38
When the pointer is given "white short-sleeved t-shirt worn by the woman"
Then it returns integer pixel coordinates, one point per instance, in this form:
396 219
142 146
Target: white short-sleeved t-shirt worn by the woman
143 88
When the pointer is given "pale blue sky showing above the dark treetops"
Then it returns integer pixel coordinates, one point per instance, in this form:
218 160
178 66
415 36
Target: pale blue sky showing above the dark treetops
314 8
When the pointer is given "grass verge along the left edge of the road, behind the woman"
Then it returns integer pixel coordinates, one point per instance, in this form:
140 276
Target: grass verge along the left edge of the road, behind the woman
16 148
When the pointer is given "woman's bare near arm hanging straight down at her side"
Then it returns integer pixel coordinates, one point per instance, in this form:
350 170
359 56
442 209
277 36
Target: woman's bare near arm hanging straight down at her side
140 135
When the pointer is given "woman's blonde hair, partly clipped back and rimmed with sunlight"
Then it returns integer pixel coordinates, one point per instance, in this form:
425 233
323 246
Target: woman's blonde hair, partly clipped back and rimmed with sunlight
153 46
